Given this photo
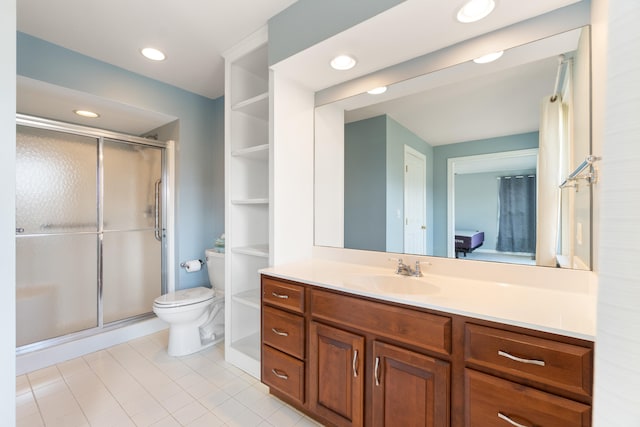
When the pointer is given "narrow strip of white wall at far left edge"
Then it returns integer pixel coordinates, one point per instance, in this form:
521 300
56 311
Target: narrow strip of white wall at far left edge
7 212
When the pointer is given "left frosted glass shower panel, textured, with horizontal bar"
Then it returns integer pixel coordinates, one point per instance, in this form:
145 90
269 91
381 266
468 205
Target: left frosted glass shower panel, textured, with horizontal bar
56 234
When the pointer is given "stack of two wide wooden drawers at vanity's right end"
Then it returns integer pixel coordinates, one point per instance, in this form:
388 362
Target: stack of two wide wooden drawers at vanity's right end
517 378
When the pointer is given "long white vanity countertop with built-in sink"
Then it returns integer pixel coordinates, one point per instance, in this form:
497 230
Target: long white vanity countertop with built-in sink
565 312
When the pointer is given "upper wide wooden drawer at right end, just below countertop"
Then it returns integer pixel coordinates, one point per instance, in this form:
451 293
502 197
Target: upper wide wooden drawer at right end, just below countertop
544 361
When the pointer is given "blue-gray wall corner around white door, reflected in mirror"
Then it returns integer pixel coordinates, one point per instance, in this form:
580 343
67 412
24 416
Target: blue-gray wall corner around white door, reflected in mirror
374 183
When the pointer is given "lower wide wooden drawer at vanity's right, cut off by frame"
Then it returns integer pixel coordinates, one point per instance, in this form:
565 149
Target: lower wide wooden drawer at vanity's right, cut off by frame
494 401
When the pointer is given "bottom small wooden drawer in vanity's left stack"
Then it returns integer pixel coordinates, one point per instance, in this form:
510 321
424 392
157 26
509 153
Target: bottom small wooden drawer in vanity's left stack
283 373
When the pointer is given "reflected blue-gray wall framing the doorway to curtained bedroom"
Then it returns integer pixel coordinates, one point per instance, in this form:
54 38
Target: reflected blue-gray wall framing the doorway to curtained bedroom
442 153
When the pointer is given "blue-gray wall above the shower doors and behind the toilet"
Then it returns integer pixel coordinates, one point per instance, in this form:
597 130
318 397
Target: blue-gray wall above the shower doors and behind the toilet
200 145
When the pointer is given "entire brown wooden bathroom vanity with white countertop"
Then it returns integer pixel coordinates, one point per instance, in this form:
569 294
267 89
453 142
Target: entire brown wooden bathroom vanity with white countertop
352 345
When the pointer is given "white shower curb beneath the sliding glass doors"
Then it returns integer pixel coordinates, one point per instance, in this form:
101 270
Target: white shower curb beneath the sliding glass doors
39 359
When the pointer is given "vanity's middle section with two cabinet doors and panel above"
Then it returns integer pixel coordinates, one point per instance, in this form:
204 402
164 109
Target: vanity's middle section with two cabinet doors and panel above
381 347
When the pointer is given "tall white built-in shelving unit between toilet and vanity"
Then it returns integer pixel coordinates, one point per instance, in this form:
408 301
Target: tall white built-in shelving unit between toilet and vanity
247 197
